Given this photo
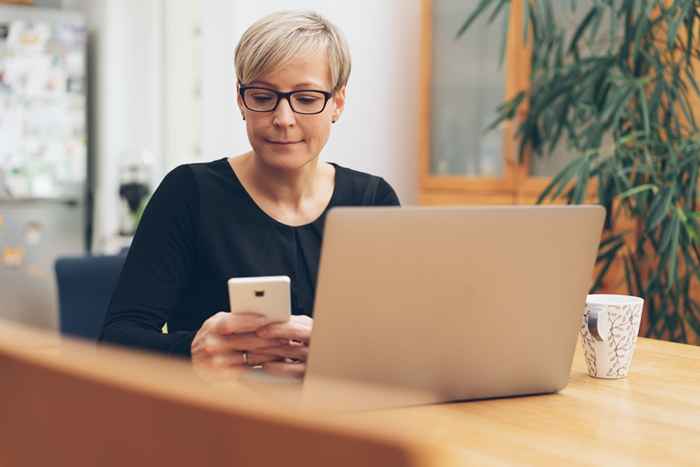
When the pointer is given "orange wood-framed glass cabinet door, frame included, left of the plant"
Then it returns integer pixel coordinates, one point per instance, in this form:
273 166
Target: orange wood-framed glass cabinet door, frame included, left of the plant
463 83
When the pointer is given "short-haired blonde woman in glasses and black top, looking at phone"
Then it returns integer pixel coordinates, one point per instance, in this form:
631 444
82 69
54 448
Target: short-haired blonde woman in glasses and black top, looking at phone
257 214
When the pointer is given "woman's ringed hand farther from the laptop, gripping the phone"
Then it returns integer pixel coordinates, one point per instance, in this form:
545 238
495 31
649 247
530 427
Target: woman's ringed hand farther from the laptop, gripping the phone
228 340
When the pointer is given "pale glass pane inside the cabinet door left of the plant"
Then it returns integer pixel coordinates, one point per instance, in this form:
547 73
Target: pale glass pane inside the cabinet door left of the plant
467 85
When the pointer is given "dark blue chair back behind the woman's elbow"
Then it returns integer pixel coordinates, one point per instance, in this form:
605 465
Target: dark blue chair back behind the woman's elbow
85 287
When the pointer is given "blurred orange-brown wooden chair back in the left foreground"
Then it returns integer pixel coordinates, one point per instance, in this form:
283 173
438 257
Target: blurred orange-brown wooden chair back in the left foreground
79 405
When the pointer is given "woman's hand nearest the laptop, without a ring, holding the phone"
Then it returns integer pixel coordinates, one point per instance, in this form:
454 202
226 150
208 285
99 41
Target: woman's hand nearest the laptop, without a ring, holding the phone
291 351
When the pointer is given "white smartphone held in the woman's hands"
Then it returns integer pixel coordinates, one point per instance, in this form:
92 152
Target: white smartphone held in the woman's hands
267 295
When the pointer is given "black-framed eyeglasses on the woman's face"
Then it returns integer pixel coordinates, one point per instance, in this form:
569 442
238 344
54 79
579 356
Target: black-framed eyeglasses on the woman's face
302 101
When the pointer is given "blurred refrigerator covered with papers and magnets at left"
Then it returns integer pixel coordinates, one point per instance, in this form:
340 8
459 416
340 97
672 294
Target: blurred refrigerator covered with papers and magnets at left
45 192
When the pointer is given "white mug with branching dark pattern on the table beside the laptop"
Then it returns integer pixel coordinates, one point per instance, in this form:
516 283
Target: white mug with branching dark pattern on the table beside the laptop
609 333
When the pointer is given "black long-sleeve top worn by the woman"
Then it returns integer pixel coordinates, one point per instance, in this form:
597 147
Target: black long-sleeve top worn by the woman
200 228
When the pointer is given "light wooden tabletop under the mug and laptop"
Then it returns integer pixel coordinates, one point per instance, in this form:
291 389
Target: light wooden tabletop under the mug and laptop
652 417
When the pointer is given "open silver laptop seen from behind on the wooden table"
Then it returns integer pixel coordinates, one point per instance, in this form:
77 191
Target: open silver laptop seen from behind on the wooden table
453 303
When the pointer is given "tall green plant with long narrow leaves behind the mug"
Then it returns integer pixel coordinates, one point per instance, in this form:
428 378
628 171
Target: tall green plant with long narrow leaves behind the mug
613 81
